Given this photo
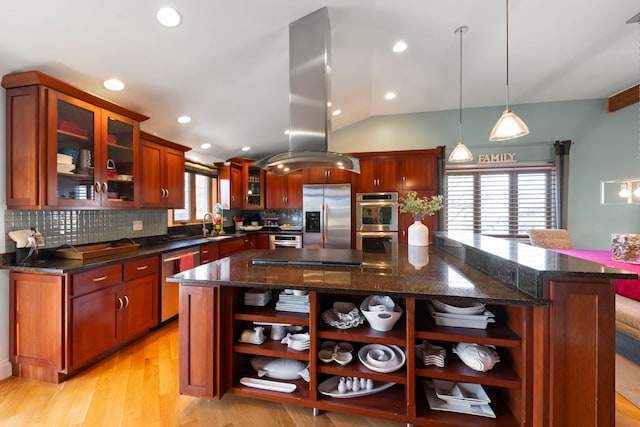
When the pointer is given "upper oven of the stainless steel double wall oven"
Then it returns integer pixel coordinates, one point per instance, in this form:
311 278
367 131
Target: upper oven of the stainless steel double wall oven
377 212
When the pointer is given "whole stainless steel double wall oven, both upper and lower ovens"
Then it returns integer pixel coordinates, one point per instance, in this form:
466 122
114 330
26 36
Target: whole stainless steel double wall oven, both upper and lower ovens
377 228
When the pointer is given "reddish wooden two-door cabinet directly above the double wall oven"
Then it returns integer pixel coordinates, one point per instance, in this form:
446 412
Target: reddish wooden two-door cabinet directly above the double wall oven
376 174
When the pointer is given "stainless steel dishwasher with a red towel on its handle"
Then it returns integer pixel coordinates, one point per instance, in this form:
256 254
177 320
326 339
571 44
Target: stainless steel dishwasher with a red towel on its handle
172 263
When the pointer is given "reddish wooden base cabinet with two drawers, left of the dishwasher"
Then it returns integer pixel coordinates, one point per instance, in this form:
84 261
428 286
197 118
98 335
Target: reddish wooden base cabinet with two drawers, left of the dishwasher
62 323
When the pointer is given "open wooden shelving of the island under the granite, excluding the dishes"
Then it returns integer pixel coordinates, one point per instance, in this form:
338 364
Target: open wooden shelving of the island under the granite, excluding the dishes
508 385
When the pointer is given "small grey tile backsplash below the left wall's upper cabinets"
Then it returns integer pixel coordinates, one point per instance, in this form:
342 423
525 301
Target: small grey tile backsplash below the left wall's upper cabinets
77 227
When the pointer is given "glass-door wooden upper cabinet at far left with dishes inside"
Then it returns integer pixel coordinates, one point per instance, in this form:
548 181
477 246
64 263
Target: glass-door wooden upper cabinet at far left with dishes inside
67 148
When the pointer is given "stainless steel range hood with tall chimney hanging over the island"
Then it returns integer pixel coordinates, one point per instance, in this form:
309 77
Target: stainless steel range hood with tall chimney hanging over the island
309 89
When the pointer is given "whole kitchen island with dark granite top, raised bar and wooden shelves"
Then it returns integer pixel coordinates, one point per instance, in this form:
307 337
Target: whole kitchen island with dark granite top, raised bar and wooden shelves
554 331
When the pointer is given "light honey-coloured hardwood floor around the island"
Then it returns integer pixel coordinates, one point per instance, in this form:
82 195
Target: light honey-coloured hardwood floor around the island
138 387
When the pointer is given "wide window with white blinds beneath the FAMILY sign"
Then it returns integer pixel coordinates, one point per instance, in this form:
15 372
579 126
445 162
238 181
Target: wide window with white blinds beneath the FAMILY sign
501 202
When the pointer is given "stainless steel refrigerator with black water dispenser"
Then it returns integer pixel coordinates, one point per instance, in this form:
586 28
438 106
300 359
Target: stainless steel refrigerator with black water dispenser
327 216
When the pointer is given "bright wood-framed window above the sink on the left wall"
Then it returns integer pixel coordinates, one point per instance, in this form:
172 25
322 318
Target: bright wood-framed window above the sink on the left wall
200 194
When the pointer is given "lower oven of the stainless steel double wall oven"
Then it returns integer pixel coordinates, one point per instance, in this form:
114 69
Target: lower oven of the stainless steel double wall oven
379 248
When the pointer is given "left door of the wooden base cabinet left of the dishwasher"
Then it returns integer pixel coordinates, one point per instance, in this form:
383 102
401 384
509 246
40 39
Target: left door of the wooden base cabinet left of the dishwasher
94 324
